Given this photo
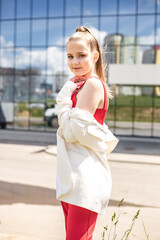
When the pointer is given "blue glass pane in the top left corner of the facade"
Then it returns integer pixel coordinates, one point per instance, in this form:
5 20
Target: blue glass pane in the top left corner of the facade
8 9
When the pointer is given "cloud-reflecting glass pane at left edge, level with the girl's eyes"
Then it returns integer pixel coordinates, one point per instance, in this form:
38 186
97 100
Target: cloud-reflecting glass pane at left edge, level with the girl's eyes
7 58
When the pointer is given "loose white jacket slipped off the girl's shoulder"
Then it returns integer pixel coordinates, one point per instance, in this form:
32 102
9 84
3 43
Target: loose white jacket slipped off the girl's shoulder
83 174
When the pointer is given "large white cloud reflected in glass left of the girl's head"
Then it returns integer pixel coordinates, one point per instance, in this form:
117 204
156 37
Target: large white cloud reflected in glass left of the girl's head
38 58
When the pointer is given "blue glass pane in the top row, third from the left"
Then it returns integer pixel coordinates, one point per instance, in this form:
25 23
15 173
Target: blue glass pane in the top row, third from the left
39 8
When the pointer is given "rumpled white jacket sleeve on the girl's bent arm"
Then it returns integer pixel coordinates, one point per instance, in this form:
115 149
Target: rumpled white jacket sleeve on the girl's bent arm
79 125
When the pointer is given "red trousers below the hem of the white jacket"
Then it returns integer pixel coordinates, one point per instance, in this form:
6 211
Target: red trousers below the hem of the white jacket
79 222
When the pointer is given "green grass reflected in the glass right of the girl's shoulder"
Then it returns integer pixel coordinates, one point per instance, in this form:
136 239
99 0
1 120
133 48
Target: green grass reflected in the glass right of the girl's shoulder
127 110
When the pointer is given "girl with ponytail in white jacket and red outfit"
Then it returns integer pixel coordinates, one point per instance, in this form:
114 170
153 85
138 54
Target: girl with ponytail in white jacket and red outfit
83 139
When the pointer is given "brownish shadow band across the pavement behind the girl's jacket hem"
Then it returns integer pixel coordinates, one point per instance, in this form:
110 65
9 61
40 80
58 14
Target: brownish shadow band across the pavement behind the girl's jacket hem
22 193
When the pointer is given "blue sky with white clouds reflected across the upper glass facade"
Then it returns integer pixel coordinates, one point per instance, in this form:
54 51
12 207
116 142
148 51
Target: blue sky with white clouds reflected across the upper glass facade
54 38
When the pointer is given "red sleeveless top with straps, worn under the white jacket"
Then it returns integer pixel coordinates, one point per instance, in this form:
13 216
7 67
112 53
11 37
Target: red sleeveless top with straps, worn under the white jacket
99 114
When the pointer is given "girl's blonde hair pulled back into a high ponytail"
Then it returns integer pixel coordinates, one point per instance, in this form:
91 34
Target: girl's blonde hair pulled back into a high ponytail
85 34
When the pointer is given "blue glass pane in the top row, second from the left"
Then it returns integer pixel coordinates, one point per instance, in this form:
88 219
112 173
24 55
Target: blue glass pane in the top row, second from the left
23 8
